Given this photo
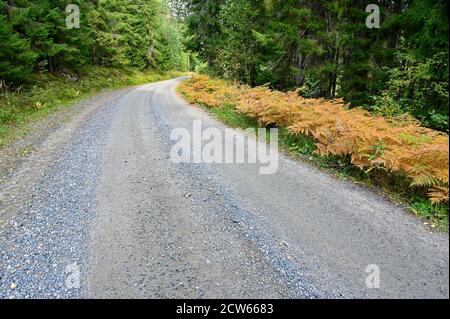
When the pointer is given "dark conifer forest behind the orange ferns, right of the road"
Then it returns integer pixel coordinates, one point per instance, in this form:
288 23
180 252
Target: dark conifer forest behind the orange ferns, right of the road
324 49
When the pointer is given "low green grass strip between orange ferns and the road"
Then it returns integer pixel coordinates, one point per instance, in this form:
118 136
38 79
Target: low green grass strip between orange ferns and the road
393 186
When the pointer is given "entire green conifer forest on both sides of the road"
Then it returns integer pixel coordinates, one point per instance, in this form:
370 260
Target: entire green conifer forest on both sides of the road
322 48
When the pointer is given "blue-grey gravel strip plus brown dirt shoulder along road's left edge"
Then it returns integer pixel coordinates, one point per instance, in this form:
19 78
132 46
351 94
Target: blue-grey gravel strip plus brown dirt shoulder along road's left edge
47 203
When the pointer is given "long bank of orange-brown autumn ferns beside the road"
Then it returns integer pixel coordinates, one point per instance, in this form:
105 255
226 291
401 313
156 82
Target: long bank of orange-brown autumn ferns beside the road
398 145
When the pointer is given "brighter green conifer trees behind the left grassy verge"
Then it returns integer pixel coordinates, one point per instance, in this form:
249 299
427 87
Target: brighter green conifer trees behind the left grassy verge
116 33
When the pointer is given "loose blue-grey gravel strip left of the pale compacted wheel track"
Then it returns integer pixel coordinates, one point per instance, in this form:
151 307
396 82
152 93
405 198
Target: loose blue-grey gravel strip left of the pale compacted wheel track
50 230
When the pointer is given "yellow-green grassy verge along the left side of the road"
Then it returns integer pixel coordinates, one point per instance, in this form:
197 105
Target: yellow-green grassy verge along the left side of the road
50 93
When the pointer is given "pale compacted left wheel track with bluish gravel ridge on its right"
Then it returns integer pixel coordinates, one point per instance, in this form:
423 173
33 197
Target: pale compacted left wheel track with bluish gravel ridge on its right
153 238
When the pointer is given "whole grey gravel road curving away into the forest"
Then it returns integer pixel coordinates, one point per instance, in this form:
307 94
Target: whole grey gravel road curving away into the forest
98 202
